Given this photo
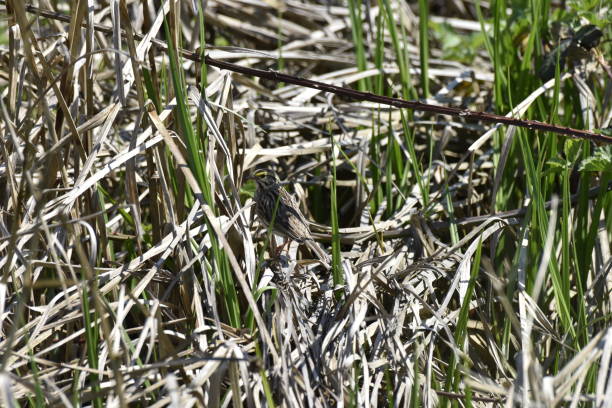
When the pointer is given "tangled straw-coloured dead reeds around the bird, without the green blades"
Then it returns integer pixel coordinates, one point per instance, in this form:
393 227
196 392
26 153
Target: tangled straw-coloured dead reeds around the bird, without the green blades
92 210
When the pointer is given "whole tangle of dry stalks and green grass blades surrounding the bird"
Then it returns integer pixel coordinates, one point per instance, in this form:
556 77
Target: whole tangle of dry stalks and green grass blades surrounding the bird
471 268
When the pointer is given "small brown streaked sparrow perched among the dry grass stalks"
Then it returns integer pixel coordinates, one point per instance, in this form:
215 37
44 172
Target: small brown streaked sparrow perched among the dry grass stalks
285 217
